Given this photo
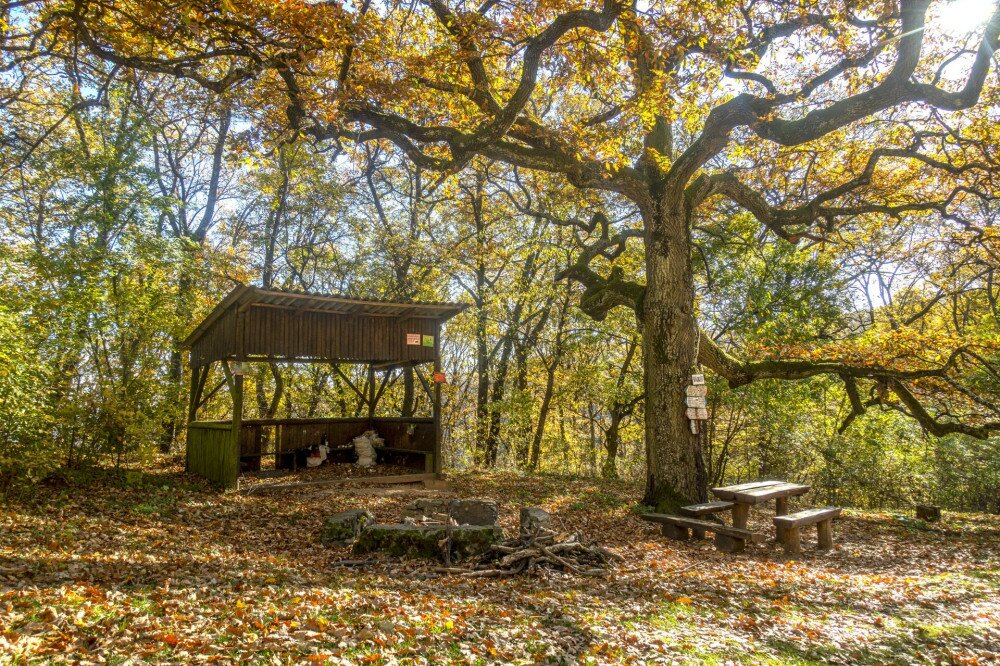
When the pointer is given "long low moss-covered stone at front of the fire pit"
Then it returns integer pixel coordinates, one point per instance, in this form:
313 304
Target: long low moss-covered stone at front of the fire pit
424 541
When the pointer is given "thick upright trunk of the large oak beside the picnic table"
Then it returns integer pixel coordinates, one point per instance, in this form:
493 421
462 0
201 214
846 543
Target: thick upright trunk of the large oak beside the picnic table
674 466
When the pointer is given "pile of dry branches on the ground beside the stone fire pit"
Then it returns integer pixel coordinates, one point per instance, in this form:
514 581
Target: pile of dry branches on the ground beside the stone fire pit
543 550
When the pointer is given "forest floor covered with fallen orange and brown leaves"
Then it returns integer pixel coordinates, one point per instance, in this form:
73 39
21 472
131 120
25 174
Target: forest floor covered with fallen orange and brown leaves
158 568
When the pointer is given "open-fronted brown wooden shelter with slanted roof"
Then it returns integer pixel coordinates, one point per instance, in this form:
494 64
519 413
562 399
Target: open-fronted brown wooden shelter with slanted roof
259 325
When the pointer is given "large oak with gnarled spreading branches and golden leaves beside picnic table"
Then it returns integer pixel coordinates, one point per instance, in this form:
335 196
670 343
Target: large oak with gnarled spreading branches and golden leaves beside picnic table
815 117
